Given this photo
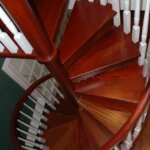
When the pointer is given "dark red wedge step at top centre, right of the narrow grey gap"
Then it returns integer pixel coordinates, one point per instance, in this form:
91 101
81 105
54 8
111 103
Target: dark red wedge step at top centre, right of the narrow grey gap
88 22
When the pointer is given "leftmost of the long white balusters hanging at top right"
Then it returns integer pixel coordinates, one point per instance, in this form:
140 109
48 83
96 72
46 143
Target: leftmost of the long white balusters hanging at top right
116 7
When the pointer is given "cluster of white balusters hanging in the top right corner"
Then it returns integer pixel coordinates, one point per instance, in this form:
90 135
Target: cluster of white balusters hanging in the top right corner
135 5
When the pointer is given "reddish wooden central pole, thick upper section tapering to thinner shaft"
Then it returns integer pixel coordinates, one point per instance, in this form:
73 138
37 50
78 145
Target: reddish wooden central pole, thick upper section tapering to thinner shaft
32 27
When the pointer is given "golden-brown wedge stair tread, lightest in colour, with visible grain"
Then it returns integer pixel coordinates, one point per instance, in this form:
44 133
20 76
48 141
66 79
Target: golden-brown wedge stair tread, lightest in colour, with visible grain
111 119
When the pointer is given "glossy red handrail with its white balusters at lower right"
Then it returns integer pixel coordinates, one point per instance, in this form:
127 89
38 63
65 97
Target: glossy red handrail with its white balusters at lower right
126 136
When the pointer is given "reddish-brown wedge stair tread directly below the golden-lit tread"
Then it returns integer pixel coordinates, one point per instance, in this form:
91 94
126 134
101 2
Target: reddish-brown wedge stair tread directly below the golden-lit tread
97 131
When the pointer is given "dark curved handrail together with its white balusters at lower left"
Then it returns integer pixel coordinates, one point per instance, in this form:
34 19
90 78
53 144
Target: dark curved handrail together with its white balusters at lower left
30 116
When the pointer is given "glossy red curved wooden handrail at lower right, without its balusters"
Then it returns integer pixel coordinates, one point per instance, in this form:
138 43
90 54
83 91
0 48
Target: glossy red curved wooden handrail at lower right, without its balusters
128 126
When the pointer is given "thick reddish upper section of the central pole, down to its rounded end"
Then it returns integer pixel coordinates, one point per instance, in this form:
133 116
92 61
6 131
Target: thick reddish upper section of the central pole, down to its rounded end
31 25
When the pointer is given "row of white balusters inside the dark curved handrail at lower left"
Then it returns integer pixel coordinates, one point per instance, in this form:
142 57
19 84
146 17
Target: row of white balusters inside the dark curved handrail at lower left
32 118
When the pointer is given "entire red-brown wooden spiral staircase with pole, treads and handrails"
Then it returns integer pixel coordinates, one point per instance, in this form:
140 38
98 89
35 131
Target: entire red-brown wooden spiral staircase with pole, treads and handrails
100 99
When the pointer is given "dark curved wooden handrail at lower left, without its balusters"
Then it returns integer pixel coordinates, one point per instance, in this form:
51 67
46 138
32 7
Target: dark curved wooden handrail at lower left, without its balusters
17 109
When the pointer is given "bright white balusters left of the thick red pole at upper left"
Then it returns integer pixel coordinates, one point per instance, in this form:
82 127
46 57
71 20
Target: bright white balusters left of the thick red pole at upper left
19 37
